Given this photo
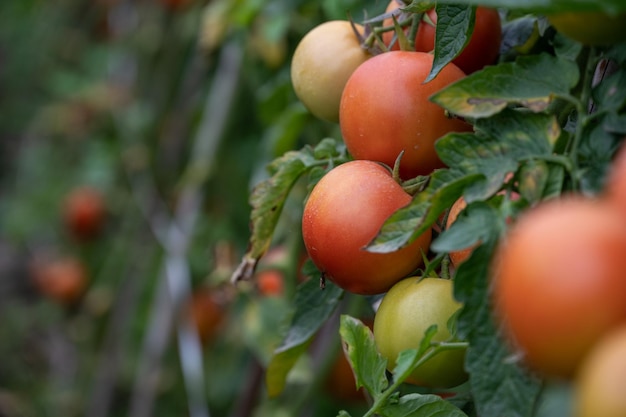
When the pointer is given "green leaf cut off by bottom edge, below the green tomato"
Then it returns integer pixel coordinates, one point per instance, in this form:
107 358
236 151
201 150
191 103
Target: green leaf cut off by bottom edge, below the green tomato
416 405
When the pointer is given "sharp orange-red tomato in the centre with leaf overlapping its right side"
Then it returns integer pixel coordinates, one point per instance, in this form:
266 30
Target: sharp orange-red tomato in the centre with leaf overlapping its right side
343 213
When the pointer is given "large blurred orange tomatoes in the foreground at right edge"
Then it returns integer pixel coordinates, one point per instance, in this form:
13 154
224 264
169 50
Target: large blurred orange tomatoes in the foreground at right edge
562 301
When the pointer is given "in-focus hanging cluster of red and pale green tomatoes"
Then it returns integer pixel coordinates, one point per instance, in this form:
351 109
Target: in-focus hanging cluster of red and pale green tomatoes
381 101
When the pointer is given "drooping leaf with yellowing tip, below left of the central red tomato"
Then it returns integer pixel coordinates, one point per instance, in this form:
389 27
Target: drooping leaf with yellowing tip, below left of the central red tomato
313 307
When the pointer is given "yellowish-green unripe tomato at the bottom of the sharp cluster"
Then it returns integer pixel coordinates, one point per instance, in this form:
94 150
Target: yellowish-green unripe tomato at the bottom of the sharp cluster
405 313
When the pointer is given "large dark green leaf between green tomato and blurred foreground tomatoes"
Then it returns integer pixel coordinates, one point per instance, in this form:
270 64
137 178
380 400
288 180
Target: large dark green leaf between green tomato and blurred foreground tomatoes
501 386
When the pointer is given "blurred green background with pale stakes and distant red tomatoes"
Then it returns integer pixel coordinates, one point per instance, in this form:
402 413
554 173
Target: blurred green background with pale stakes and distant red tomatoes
131 133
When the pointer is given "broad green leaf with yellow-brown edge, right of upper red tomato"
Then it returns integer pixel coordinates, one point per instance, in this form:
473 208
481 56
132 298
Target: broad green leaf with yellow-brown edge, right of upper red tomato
530 81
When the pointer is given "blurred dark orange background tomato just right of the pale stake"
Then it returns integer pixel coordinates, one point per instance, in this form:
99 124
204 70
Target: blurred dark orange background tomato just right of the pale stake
206 313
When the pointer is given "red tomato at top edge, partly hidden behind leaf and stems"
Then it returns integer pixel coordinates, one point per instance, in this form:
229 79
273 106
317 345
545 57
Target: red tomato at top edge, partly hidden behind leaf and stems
482 49
